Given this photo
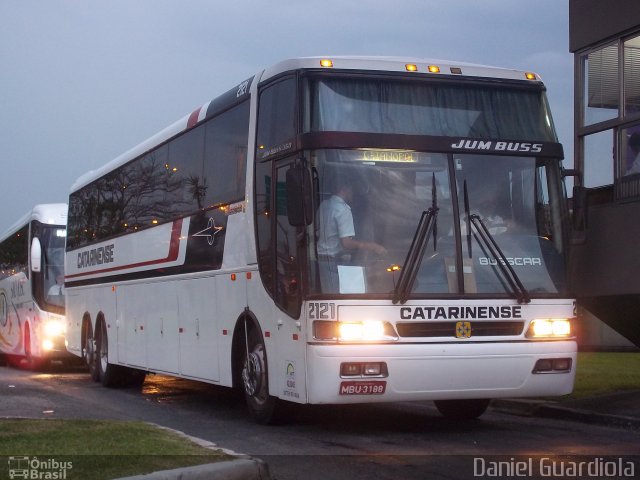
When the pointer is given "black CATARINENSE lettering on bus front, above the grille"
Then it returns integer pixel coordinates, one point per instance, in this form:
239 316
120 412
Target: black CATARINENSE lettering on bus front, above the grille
494 312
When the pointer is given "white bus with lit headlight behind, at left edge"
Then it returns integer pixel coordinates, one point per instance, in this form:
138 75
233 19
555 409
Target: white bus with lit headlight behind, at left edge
32 321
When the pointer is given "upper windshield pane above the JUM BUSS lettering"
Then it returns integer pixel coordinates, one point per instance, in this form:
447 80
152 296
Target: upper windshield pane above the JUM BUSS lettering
428 108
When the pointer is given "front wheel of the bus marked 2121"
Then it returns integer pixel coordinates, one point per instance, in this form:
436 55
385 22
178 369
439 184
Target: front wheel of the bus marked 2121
255 379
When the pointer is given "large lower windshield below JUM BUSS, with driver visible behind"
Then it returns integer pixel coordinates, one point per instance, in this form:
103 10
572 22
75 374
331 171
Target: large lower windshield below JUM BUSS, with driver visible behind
383 193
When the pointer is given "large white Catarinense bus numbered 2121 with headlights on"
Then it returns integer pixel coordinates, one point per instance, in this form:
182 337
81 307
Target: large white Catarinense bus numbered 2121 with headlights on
205 253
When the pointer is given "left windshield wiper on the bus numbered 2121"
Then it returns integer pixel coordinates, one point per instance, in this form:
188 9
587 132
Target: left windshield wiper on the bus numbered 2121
427 226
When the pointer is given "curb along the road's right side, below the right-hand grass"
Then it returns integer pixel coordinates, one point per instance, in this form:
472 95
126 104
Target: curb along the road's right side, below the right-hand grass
547 410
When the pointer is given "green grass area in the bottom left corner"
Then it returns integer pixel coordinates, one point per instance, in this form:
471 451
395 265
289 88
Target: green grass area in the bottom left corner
100 449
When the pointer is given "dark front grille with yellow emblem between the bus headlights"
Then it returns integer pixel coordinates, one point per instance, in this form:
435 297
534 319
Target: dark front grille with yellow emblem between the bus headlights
448 329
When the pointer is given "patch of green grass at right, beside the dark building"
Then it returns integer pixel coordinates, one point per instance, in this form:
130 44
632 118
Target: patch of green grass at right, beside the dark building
601 372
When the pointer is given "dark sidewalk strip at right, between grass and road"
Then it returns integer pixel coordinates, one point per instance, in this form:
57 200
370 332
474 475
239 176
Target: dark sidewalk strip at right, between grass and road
620 409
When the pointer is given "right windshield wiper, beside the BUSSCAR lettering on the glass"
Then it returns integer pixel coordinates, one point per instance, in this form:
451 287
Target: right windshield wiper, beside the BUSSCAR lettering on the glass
485 235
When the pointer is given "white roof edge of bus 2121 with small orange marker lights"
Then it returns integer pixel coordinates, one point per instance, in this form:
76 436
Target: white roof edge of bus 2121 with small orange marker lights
447 68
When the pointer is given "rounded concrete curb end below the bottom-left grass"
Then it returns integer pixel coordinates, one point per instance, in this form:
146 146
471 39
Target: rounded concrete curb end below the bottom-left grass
240 469
